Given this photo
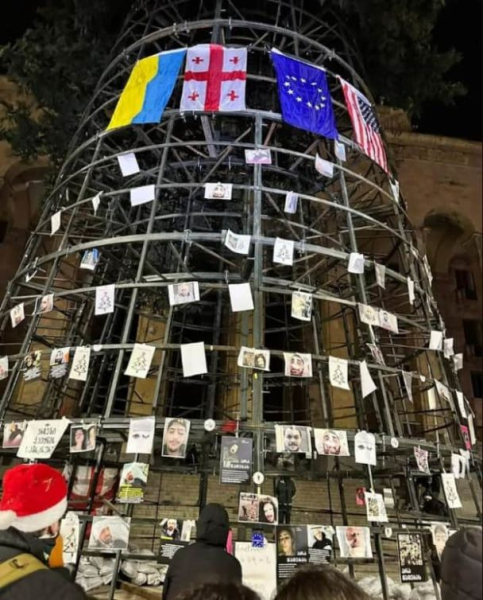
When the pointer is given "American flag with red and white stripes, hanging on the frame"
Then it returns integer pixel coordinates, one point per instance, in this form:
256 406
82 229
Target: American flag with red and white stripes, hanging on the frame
366 125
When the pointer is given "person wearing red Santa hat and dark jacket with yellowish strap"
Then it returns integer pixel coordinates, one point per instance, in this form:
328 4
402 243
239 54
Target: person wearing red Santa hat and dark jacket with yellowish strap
33 502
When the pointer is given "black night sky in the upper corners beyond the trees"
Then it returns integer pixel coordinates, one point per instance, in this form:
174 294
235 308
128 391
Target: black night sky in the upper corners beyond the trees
459 27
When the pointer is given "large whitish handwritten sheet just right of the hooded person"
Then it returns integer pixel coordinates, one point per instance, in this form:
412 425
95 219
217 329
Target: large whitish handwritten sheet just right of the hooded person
258 568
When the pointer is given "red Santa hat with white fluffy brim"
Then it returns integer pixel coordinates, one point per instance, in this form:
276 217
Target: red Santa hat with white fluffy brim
34 497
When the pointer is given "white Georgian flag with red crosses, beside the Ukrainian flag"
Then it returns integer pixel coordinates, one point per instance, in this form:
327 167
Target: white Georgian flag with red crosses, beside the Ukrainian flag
215 79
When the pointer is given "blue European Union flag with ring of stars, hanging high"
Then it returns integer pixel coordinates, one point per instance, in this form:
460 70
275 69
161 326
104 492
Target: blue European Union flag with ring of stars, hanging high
304 95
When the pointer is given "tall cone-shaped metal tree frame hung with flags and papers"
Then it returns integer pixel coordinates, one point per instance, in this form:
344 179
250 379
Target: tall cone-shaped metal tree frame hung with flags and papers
179 237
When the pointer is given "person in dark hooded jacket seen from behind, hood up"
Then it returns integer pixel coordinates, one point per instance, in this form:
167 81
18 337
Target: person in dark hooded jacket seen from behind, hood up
206 561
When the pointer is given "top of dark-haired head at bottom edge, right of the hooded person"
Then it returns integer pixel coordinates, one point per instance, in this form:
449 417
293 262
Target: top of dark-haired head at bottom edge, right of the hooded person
320 583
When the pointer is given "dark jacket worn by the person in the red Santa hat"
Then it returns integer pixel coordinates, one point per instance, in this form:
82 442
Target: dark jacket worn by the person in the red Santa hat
46 584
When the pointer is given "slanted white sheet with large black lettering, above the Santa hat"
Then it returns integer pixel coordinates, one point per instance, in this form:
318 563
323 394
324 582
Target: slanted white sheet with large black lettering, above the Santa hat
41 438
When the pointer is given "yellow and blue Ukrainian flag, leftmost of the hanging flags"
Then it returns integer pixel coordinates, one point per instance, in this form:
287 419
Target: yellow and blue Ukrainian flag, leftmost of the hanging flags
148 90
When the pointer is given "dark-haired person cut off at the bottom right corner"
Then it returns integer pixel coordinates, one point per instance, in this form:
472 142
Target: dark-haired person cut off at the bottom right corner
461 566
